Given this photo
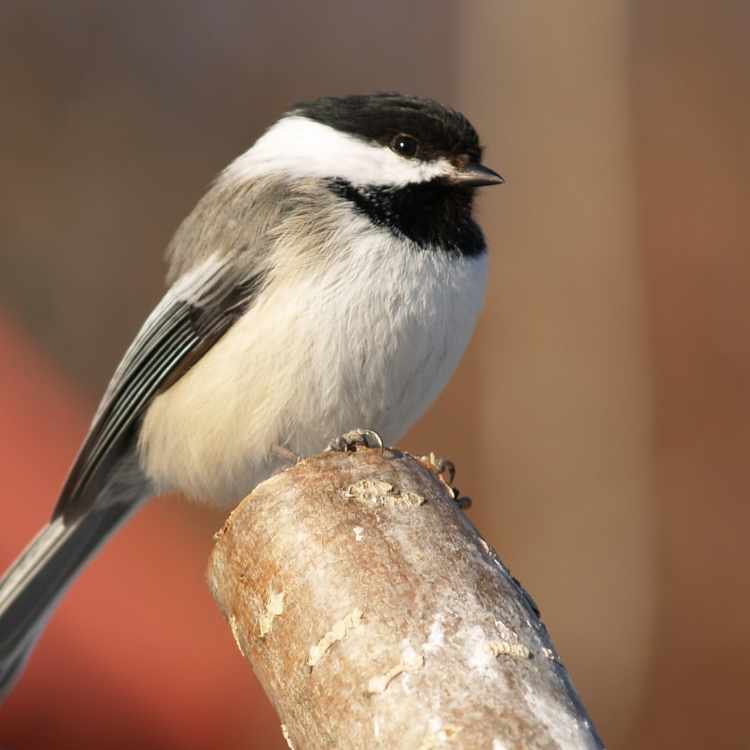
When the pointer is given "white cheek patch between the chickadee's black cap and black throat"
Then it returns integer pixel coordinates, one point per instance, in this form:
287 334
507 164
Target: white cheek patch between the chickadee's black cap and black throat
300 147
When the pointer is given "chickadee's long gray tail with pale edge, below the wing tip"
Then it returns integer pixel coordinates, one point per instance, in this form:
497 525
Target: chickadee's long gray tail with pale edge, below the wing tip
30 589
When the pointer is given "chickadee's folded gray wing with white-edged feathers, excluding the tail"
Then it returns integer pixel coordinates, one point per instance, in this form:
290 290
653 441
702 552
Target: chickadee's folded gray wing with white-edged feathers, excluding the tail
190 318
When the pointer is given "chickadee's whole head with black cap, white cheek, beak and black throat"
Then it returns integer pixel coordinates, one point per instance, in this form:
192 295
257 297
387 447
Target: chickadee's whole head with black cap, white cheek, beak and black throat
408 165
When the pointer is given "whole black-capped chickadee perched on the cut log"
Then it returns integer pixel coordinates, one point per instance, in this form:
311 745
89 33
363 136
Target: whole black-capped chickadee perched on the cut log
330 279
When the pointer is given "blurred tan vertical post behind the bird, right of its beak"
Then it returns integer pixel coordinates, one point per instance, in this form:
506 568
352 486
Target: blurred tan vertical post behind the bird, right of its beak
562 434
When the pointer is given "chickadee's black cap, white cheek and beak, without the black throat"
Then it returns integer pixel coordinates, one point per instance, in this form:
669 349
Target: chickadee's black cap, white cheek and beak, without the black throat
384 140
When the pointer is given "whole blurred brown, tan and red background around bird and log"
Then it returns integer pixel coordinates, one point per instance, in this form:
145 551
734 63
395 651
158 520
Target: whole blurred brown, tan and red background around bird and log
600 419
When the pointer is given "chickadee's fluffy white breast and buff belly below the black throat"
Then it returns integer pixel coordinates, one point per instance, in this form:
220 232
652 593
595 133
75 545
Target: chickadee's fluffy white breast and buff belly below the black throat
368 342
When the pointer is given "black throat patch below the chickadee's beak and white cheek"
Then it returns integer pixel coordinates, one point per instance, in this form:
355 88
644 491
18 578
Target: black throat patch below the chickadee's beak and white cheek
432 215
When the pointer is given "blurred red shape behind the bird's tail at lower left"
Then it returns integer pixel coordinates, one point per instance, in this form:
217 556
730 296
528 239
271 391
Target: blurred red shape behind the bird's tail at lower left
137 655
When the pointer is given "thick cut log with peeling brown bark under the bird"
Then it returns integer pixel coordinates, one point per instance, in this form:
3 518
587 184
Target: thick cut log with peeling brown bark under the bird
376 616
